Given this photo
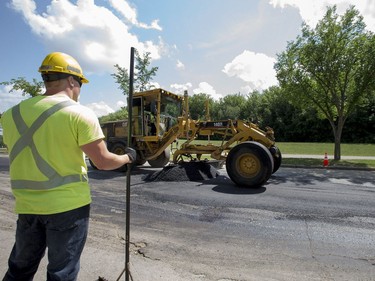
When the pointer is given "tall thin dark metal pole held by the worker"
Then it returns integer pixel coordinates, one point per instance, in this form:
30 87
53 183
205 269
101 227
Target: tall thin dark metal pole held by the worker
128 172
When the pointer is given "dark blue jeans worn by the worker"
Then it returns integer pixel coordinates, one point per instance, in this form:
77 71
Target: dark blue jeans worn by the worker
64 235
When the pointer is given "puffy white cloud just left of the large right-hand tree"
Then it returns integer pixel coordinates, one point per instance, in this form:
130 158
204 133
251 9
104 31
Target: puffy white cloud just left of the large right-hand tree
254 68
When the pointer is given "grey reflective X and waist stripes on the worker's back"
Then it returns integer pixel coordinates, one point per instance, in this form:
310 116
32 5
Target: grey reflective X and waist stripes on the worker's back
26 140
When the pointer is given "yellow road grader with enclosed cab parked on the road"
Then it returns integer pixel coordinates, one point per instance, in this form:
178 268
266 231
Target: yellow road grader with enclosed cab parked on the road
161 120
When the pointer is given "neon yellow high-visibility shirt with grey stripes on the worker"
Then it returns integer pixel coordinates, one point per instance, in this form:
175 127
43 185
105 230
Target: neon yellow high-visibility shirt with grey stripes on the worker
47 167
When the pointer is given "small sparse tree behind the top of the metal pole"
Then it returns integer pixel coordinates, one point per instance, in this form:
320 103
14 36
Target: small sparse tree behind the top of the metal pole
143 75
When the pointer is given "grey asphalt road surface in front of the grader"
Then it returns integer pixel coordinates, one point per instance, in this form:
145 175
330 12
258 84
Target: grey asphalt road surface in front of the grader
302 225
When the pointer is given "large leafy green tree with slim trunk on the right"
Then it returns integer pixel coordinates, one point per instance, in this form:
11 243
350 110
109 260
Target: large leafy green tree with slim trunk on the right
330 68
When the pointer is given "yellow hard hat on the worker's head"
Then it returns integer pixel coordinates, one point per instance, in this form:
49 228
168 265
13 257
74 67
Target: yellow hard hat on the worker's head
62 63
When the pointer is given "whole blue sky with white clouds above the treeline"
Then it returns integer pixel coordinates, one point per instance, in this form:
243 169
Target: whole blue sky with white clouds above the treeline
217 47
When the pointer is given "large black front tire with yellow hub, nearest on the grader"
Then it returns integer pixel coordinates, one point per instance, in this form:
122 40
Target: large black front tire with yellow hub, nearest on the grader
249 164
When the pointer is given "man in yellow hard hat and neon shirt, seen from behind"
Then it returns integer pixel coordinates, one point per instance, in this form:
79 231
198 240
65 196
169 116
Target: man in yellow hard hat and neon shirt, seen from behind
47 137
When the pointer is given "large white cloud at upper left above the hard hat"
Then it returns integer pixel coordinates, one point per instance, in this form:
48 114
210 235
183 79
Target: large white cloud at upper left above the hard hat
93 34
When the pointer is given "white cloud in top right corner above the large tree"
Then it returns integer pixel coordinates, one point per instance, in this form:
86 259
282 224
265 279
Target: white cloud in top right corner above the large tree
314 10
